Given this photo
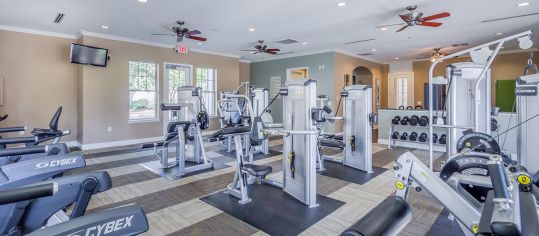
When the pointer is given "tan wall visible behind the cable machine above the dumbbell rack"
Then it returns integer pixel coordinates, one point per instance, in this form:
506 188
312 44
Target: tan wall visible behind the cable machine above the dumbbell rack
504 67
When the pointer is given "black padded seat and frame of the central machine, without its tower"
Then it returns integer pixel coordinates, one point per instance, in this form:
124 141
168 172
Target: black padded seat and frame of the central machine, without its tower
238 188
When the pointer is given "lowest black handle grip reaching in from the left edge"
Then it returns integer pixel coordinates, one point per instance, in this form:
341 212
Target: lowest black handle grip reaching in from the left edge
28 193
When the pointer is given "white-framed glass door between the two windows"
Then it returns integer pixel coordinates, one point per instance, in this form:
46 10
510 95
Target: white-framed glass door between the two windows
175 76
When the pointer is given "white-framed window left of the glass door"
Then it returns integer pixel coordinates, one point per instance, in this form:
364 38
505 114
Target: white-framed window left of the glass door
142 91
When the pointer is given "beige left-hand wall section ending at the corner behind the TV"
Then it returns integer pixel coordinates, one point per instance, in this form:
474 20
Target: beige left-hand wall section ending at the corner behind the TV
37 79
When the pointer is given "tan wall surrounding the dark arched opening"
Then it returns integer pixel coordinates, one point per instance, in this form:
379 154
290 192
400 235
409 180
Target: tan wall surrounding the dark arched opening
344 64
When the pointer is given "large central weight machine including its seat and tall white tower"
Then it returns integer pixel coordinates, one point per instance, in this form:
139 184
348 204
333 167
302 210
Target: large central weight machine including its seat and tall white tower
299 155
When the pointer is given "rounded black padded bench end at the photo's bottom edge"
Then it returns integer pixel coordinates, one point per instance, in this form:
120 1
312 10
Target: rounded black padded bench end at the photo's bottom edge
388 218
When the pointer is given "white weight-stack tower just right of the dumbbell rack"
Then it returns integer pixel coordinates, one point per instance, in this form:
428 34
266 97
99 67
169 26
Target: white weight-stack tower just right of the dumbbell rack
468 101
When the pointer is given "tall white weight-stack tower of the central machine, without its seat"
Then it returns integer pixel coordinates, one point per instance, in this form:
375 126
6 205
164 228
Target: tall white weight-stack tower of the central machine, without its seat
300 140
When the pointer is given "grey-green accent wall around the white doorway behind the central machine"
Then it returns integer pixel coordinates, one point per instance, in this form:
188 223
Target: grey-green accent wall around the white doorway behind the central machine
262 71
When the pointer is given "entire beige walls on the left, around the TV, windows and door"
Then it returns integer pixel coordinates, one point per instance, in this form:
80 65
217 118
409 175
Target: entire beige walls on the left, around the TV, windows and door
39 78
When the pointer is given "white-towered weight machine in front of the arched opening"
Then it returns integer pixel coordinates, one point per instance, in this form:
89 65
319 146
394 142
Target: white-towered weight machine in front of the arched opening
357 129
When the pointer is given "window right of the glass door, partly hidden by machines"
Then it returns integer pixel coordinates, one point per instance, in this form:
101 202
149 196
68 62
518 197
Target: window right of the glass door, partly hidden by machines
206 79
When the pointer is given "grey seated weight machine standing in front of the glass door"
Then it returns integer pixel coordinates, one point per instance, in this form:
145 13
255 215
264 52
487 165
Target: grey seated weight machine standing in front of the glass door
185 135
